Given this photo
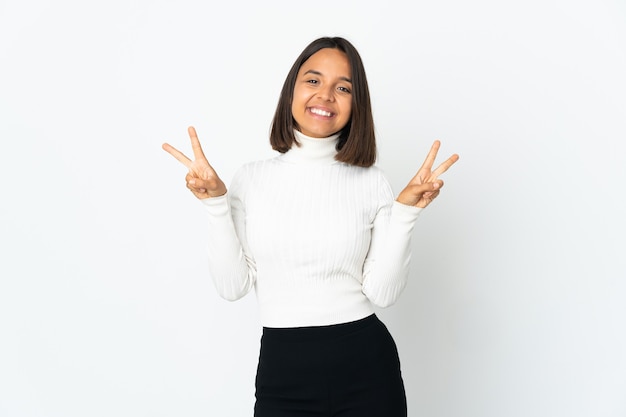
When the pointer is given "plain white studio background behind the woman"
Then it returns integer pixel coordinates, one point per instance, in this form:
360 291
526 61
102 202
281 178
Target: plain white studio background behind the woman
517 300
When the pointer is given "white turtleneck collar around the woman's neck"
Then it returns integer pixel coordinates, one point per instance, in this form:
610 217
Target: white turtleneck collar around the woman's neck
312 151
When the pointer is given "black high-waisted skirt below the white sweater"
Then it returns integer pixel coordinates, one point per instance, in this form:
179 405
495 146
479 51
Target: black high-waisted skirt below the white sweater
343 370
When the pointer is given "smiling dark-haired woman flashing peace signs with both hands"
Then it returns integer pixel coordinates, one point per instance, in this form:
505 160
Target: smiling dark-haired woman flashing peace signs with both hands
317 233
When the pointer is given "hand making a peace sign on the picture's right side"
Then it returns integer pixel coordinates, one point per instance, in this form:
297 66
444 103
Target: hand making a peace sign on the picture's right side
425 185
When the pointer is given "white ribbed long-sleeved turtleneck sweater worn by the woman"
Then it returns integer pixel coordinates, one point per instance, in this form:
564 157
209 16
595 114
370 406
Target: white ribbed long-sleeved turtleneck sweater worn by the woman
318 239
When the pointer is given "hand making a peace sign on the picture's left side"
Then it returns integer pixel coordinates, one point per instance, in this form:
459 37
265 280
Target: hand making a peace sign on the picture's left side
202 180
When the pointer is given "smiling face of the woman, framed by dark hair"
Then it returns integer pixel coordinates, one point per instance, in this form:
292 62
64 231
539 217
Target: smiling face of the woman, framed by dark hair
322 97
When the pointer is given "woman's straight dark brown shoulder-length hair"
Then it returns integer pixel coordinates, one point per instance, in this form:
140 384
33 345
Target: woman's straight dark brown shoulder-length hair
357 141
